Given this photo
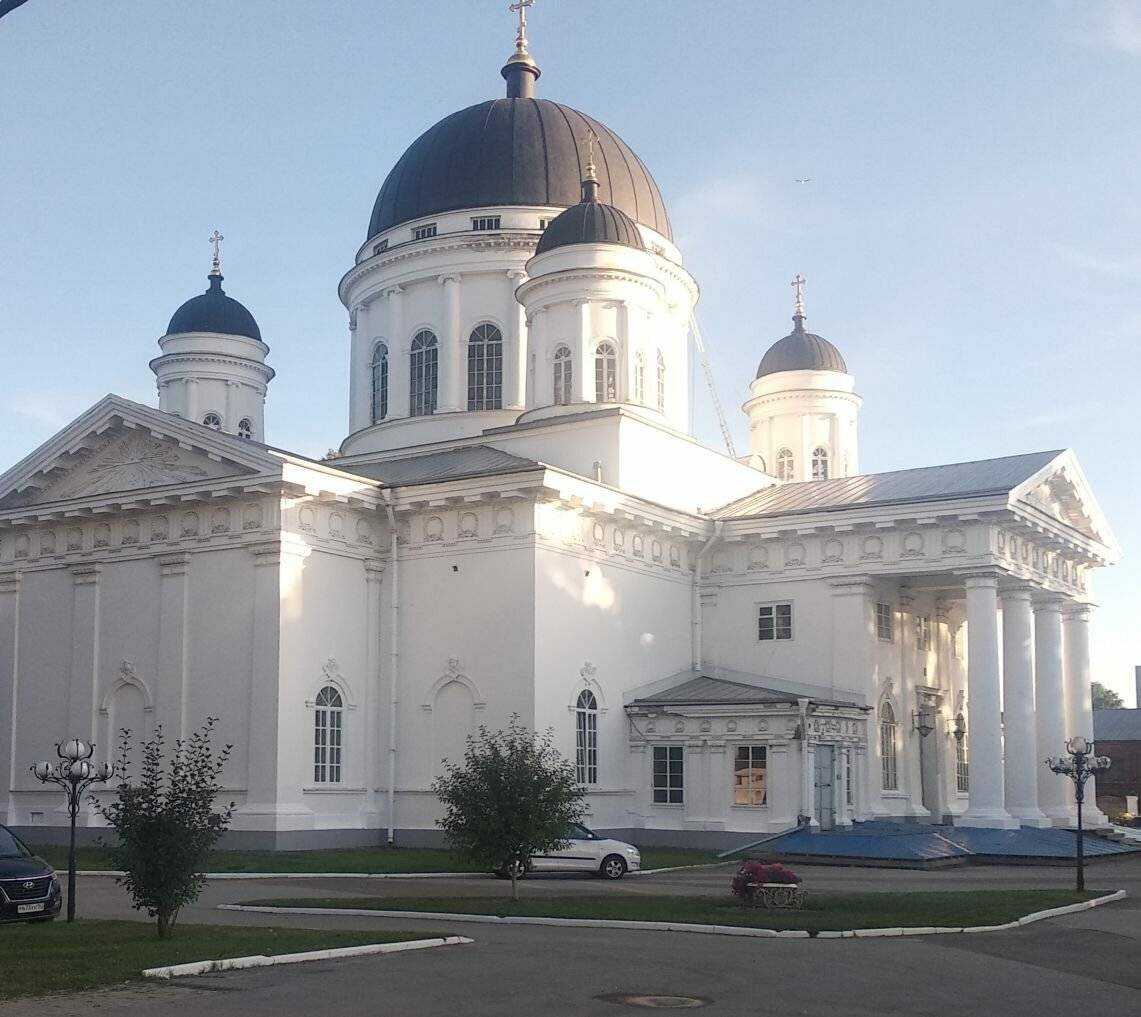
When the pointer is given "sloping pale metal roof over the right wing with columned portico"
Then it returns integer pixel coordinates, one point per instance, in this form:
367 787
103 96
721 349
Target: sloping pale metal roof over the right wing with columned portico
932 483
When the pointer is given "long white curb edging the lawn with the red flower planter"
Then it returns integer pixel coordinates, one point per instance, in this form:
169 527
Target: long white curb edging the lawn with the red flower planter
681 927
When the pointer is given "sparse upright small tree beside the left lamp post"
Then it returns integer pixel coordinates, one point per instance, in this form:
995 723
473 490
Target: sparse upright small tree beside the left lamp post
167 821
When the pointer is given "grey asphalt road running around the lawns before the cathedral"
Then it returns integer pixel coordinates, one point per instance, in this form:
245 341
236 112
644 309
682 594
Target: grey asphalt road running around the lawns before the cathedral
1090 963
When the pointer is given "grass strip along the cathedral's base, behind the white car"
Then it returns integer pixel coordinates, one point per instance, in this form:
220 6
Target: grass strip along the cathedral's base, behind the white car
358 860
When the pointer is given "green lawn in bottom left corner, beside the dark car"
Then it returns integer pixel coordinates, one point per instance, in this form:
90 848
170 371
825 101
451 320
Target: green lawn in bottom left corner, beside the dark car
58 957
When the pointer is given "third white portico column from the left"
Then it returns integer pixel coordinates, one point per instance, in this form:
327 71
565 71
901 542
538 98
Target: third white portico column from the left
1055 797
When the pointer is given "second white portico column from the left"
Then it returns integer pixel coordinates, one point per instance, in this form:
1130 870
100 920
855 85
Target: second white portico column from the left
1021 761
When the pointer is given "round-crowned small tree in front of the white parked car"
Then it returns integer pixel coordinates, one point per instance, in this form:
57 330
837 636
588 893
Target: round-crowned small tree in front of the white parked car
514 796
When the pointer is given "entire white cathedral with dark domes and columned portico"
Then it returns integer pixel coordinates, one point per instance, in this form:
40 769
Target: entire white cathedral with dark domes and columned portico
520 522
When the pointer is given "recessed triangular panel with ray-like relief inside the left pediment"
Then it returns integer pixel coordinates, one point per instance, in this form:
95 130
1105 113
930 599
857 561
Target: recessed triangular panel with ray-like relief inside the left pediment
125 461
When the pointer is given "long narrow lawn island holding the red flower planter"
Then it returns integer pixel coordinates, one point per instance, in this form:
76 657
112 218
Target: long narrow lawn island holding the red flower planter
823 911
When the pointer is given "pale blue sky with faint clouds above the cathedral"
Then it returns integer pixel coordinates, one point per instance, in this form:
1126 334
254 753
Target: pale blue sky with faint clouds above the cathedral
970 230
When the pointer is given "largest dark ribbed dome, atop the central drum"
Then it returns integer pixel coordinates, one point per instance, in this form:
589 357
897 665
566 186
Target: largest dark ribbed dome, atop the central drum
515 151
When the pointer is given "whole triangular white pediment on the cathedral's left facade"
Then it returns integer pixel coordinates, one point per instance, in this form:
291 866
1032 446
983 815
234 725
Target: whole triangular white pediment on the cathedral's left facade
118 448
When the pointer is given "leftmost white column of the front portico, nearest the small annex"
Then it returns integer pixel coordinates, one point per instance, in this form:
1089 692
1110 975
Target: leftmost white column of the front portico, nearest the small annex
988 802
